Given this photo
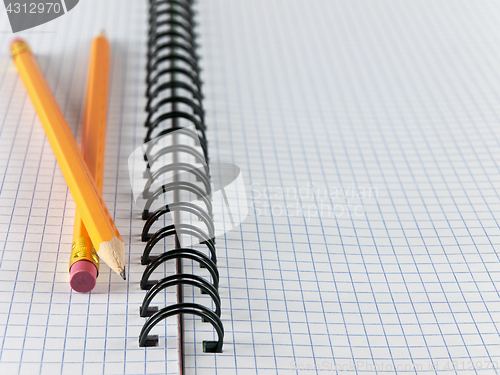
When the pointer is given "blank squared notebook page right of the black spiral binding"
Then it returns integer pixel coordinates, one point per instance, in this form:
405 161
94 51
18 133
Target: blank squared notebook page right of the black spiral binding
384 117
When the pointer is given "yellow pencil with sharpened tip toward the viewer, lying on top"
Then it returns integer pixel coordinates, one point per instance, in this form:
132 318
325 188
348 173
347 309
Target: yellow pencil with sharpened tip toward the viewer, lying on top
88 200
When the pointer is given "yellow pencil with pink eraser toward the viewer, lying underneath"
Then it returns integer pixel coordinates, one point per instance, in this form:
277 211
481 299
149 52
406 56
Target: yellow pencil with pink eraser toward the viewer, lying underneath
84 262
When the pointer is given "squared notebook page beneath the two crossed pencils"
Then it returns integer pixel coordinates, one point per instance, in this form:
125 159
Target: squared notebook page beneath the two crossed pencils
45 327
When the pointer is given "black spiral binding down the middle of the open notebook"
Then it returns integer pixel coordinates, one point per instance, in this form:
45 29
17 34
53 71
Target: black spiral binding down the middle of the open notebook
173 85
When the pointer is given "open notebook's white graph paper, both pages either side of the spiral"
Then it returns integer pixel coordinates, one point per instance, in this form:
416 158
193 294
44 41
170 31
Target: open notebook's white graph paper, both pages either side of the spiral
367 134
